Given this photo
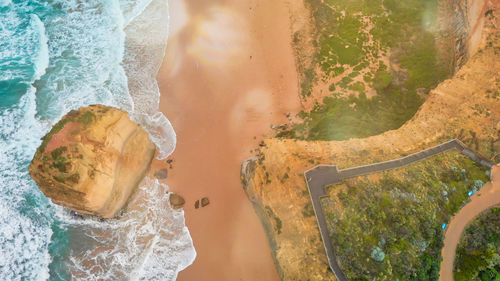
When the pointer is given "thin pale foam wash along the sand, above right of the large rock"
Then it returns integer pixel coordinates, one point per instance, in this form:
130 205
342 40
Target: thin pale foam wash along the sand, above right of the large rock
145 48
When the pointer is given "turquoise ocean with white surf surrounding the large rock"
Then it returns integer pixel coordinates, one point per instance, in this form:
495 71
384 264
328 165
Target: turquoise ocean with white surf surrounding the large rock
56 56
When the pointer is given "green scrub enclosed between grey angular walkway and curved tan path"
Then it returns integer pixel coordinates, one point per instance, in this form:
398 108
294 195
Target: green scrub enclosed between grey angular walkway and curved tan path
388 226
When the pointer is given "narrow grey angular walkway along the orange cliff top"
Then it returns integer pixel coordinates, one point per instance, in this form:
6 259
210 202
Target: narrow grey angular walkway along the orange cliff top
321 176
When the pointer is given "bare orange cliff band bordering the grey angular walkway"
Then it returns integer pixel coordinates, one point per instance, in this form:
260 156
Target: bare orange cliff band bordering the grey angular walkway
274 180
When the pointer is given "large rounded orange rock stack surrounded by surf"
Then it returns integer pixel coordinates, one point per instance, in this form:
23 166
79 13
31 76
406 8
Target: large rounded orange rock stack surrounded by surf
92 160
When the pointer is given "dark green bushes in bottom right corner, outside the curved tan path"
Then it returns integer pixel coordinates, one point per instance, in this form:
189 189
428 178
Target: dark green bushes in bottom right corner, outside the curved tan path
478 253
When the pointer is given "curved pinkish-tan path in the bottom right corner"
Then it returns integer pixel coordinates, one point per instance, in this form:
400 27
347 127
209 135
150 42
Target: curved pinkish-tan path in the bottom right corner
486 198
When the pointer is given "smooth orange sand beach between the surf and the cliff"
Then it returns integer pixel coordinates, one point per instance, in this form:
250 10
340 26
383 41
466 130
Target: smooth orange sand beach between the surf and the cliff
228 74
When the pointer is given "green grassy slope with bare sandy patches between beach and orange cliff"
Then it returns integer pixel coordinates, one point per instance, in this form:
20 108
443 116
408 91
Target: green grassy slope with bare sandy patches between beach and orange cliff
353 38
